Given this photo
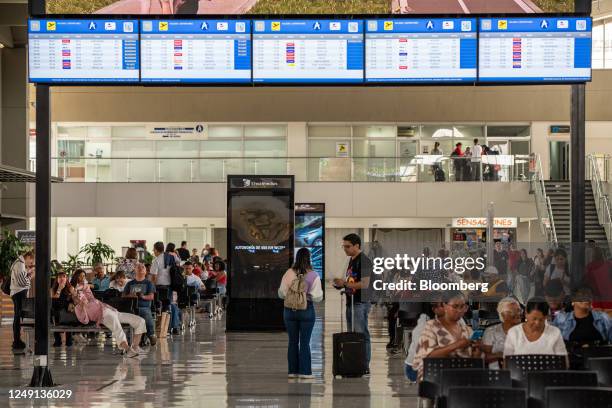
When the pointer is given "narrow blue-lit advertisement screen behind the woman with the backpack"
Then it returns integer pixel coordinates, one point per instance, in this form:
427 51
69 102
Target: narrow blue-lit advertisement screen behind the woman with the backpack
309 233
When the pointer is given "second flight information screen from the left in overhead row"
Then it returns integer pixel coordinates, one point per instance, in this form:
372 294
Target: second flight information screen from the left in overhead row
196 51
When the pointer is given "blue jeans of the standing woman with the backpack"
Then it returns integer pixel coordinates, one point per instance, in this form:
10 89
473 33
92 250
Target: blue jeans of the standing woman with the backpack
299 324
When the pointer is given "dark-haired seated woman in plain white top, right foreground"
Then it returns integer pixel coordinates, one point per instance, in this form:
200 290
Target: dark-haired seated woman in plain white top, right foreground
535 336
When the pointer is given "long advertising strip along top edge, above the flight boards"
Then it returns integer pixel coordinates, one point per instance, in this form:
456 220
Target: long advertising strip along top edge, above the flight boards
331 7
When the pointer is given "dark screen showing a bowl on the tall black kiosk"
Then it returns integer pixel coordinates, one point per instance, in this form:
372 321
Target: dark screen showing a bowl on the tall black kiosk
261 244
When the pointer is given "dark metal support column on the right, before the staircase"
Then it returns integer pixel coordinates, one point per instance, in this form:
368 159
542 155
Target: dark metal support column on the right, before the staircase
577 180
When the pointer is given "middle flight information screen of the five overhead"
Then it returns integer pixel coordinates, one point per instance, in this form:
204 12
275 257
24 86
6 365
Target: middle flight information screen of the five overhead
307 51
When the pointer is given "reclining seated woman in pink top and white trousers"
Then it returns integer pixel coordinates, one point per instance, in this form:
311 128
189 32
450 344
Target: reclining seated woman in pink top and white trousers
89 309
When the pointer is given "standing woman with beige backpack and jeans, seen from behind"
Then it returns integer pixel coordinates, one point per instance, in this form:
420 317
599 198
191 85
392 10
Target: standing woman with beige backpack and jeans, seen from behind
300 287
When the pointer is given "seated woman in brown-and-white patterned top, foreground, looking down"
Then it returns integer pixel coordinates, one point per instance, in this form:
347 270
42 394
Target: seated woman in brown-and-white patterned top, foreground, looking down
447 336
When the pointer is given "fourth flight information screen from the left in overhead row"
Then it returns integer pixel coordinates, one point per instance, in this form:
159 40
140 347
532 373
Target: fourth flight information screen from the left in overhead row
421 50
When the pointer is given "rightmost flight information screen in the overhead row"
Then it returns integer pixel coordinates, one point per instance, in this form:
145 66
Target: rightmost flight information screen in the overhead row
535 49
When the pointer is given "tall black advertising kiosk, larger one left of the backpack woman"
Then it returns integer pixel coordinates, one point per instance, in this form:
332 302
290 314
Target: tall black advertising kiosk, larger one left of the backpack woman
260 227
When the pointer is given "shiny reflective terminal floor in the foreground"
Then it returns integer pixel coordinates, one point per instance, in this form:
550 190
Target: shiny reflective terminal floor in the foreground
207 367
